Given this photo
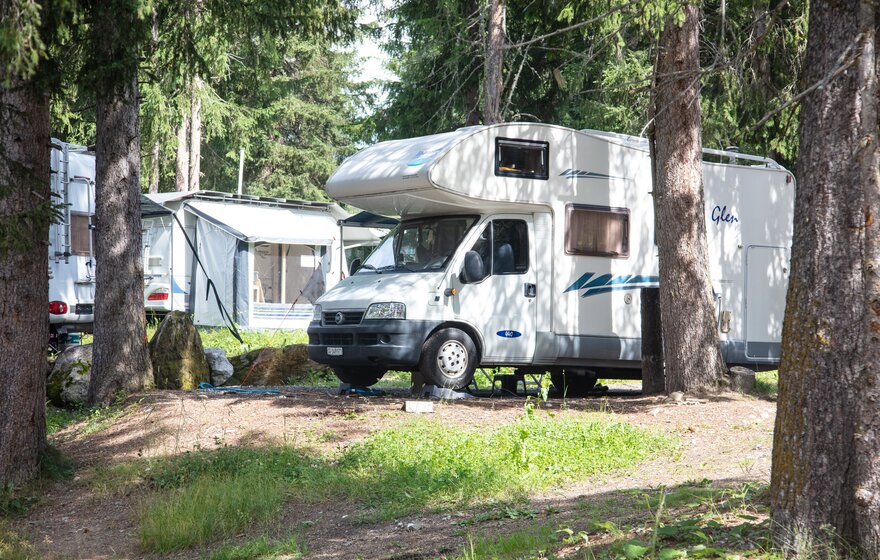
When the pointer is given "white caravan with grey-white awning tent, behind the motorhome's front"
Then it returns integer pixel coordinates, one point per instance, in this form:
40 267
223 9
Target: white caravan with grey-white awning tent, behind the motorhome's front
259 262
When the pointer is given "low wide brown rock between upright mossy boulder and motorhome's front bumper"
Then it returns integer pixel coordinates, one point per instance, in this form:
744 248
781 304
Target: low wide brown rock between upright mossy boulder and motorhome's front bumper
273 366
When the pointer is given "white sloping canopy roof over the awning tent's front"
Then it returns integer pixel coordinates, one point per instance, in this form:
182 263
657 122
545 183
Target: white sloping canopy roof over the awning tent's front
269 224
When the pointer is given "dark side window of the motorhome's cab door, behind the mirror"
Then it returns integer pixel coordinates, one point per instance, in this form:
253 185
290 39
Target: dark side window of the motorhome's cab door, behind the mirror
503 246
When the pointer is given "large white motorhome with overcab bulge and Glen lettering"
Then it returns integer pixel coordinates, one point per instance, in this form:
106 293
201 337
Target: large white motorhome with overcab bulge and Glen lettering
526 245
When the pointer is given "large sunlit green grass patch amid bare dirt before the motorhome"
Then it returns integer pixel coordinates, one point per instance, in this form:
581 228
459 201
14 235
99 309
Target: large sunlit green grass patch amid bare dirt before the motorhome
204 496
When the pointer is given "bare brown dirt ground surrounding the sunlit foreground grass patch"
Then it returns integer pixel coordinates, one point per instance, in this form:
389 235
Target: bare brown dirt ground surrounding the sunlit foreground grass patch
725 438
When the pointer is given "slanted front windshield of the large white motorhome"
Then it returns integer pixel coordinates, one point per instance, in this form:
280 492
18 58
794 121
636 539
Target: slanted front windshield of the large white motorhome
421 245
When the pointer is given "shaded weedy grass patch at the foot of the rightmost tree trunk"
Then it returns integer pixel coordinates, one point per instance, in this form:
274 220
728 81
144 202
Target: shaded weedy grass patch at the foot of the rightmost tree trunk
691 521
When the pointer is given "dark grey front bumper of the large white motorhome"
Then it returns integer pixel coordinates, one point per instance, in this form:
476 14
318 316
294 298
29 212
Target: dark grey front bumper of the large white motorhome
389 343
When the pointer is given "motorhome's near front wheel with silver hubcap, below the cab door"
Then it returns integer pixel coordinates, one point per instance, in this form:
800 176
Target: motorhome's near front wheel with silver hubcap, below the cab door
449 359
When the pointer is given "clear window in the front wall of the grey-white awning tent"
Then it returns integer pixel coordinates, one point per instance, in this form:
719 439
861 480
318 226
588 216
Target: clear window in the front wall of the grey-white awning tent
286 274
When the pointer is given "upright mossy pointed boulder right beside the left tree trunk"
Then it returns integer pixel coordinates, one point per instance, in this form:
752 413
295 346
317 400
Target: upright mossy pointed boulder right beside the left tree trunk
176 352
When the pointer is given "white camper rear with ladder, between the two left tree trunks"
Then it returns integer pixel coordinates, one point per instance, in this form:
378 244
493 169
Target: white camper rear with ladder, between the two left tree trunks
71 250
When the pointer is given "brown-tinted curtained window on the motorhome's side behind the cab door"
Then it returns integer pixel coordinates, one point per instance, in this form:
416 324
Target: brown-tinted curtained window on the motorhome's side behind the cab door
598 231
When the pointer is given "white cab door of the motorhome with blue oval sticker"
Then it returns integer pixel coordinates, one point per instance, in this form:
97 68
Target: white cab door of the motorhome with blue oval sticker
502 301
